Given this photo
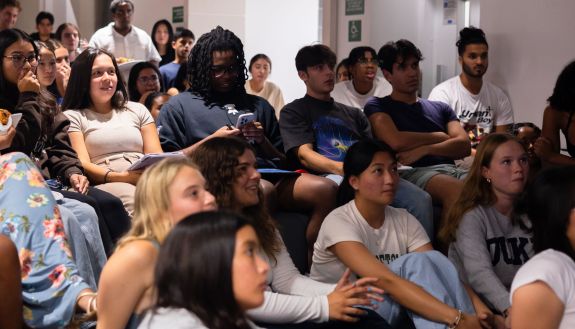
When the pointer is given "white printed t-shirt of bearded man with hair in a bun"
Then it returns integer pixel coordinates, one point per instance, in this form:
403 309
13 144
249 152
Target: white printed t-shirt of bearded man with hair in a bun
478 114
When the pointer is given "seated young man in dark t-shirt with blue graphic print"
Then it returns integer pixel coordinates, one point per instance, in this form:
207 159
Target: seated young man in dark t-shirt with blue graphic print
317 131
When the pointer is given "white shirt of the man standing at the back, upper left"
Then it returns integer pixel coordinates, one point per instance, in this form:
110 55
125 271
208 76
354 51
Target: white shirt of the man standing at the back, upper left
137 44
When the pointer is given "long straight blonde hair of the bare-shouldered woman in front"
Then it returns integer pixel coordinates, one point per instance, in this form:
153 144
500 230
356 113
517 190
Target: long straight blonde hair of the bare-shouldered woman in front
152 201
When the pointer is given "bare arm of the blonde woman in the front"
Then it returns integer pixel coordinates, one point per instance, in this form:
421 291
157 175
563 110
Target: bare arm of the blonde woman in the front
126 283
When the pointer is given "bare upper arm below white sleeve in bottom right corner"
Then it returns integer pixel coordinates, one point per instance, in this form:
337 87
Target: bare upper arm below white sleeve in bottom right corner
535 305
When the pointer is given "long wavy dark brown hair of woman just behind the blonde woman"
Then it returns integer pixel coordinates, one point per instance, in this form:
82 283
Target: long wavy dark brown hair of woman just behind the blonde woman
217 159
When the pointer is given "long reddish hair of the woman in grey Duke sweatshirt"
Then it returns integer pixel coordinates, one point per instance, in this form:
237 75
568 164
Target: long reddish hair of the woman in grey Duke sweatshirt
477 191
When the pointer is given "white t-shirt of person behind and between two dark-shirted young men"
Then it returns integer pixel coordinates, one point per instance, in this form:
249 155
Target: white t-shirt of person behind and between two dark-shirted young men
345 93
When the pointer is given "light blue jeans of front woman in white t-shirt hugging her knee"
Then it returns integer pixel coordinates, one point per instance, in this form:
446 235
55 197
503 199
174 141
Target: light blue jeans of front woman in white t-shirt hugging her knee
436 274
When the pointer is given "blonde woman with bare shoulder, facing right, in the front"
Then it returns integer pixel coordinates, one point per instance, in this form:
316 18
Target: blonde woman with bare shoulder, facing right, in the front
166 193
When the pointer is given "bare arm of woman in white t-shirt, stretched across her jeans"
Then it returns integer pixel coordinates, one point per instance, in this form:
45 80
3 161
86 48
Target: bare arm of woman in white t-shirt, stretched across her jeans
361 261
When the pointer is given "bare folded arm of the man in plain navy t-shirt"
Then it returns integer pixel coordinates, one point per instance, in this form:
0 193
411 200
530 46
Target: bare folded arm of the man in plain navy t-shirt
385 130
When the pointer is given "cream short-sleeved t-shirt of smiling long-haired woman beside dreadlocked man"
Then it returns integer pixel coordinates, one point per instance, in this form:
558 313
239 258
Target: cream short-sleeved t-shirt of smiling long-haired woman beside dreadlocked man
112 133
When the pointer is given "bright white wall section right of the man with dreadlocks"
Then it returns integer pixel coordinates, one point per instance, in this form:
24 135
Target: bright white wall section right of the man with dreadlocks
279 28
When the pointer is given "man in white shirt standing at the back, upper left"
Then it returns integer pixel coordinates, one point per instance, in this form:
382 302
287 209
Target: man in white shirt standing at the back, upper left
123 39
